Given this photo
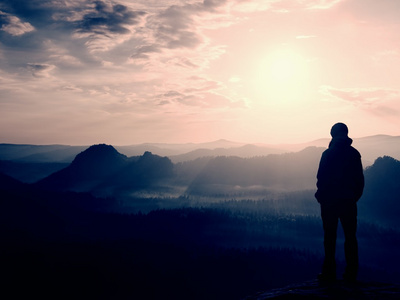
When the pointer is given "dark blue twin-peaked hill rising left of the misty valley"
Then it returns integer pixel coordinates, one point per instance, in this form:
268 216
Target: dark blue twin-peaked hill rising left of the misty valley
102 169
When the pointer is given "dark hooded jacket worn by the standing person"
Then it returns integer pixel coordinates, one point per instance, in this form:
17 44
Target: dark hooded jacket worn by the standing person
340 177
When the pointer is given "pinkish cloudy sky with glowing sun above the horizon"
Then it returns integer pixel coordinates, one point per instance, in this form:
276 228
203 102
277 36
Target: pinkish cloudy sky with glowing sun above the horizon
122 72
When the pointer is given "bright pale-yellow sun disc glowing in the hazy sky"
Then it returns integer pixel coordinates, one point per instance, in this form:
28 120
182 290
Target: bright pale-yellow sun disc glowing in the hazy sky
281 76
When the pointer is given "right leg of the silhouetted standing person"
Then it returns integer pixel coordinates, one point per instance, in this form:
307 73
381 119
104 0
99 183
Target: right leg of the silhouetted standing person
348 219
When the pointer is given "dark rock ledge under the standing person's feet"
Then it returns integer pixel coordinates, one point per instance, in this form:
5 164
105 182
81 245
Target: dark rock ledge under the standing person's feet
338 290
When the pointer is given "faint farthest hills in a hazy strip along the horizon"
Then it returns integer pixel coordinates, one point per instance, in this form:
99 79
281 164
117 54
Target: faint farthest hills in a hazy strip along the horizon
370 148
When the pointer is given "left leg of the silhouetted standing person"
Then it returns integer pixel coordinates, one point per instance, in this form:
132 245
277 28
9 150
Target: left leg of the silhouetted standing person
330 222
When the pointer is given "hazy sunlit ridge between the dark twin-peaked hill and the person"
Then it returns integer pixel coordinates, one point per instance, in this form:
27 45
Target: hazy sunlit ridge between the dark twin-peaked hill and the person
277 172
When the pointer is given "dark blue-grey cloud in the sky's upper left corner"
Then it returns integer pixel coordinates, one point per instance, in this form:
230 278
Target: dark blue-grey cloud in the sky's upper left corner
97 25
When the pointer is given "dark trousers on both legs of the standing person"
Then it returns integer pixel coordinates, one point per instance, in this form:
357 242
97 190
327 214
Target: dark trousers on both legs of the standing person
347 214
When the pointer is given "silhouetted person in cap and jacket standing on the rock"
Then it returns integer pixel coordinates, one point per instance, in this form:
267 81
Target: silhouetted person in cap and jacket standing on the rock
340 183
